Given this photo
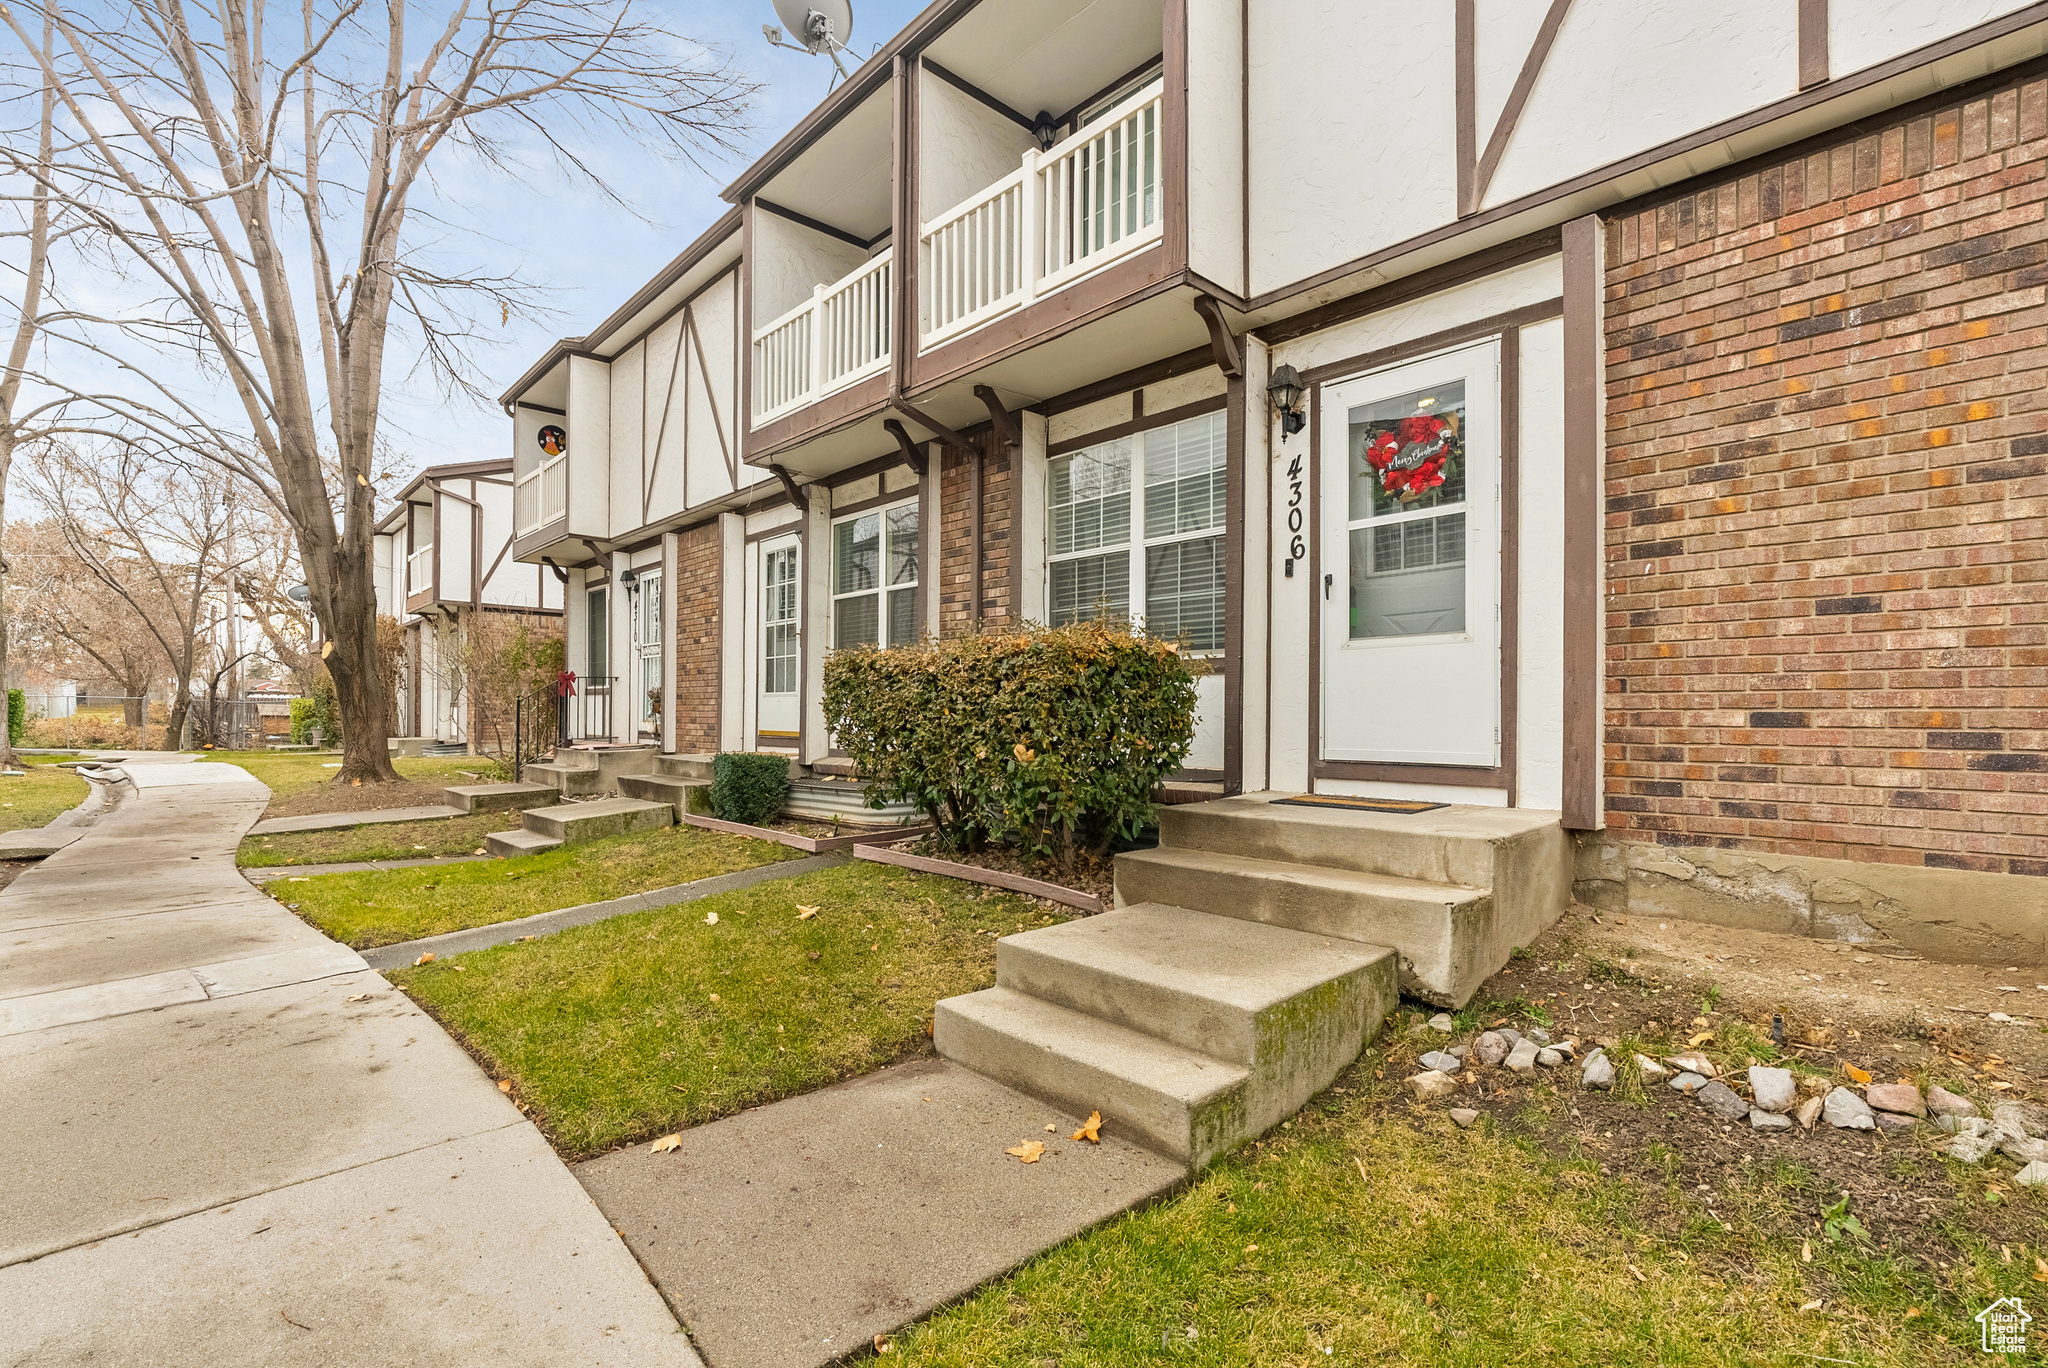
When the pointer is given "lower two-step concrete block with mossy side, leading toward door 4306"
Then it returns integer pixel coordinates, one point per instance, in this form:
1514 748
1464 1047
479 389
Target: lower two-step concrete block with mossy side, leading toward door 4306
1189 1031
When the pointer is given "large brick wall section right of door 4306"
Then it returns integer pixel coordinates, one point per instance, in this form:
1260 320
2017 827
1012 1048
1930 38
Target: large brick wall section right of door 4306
1828 499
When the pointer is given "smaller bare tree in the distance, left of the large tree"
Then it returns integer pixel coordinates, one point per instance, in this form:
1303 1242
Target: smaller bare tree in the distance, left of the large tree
153 533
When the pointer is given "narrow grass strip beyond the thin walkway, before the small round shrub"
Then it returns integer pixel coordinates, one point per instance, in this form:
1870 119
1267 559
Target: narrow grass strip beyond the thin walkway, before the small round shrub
380 908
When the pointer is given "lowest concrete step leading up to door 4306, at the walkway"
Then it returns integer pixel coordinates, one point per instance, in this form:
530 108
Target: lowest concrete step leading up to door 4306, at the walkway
1158 1095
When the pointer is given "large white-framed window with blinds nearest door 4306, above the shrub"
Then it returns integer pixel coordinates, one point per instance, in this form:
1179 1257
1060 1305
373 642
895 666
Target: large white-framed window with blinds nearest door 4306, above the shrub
1148 505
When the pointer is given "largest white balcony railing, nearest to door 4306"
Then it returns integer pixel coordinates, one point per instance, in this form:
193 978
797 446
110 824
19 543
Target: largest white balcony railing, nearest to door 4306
1064 214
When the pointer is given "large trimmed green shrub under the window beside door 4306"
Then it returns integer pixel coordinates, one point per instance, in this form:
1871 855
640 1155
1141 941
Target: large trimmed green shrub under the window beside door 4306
1046 738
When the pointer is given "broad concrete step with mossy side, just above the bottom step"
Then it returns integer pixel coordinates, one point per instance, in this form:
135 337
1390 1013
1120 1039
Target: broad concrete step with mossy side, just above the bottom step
1218 986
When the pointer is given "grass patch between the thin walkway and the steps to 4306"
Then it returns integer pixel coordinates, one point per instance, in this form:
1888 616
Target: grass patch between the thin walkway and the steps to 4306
640 1025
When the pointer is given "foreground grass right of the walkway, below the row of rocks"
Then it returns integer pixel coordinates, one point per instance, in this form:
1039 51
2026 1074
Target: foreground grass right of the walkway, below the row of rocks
1373 1232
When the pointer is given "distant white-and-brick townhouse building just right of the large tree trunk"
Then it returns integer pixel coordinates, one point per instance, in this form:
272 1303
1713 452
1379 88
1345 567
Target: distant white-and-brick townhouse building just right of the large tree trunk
445 564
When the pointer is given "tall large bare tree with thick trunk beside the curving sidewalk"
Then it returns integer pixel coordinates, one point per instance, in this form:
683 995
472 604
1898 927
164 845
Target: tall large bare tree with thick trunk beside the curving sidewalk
255 187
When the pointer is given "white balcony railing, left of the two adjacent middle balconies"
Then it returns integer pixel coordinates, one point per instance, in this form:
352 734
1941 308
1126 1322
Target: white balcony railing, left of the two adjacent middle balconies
837 337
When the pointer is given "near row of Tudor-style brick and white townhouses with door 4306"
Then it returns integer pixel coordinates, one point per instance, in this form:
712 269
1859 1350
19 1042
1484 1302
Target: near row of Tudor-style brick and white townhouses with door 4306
1615 415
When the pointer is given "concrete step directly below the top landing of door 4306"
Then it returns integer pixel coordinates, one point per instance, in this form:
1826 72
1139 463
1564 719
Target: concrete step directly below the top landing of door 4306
1445 935
